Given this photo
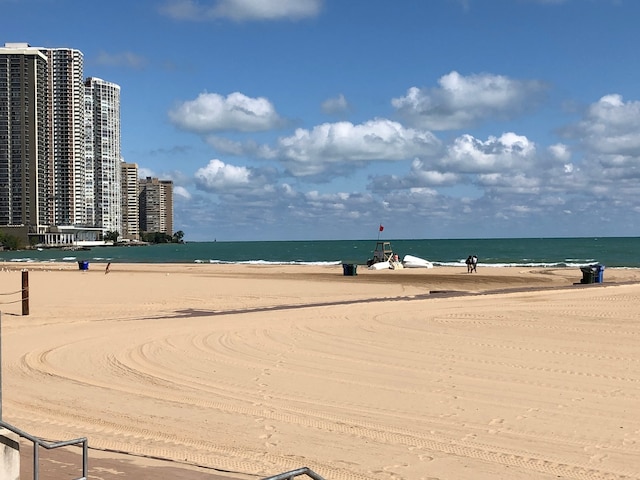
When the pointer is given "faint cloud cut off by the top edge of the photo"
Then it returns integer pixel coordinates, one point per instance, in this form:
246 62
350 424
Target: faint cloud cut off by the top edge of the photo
241 10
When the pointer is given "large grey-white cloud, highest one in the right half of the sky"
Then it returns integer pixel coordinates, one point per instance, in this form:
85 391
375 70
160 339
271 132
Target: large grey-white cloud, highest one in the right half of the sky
461 101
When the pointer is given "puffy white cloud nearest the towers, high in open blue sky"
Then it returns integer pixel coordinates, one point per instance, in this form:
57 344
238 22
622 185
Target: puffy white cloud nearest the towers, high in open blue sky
211 112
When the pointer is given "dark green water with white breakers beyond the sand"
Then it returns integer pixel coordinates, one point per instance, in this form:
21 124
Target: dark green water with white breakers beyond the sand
618 252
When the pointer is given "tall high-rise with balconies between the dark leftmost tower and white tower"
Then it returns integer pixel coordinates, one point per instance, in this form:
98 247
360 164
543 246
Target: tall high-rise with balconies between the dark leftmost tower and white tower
66 135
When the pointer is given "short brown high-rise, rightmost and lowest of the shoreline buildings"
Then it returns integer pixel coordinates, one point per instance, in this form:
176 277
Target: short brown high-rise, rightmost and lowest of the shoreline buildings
156 206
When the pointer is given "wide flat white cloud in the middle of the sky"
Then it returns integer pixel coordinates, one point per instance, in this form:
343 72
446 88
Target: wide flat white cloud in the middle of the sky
339 147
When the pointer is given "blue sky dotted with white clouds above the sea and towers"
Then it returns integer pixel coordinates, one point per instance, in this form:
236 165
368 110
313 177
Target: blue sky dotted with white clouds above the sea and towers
323 119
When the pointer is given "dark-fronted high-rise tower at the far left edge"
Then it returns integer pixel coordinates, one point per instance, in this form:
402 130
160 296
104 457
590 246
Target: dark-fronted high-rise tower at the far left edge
24 138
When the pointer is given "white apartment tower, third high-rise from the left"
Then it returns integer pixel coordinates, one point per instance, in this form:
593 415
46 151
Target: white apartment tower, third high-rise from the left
102 169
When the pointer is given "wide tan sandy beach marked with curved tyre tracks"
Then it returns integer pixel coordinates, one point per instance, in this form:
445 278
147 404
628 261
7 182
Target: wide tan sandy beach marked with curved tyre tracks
243 372
